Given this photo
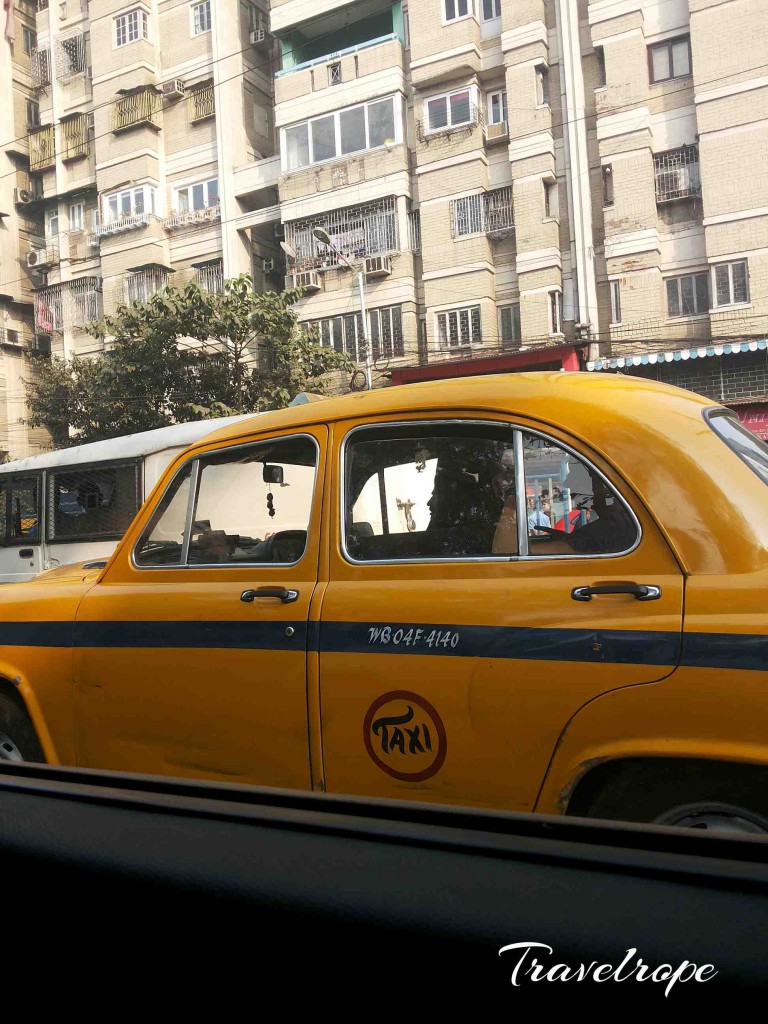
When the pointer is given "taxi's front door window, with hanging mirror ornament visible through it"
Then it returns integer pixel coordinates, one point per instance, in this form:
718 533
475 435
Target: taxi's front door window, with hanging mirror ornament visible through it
252 505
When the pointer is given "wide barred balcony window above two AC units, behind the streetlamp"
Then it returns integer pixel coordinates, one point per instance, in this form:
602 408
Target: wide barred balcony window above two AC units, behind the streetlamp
369 230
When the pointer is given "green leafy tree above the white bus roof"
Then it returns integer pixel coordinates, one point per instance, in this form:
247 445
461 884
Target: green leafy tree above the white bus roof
186 355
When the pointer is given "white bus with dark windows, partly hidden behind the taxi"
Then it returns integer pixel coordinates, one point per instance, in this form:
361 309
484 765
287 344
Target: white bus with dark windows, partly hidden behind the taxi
75 504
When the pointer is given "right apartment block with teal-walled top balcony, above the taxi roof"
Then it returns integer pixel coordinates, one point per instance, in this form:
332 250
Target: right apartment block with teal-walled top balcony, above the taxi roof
528 183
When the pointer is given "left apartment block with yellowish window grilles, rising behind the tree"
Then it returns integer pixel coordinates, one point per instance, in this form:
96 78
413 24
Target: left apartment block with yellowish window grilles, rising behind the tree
141 155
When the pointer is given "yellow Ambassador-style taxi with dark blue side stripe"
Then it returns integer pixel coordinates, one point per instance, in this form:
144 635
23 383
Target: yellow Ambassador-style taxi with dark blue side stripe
532 592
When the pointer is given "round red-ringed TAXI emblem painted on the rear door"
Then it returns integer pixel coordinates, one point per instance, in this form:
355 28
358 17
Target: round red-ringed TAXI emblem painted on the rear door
405 737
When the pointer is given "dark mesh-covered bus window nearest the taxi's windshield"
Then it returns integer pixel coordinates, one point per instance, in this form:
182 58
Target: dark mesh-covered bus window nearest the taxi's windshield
93 503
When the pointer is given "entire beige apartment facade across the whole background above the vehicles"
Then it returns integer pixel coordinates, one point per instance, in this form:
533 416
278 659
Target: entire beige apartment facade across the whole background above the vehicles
521 183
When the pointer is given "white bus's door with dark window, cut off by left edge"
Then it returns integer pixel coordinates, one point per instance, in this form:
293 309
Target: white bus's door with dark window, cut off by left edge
21 527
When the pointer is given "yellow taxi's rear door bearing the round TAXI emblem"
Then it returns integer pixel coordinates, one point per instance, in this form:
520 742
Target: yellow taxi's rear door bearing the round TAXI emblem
450 663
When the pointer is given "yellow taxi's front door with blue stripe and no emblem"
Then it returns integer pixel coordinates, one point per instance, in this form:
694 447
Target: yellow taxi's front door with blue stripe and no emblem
192 651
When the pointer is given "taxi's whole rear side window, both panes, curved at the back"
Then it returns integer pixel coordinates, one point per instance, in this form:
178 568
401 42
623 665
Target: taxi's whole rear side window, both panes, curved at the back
457 491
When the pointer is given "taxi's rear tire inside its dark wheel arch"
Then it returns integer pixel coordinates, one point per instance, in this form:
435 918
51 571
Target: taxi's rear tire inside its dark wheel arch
686 794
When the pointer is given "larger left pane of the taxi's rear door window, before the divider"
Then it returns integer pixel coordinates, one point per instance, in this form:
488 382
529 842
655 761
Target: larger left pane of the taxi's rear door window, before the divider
430 492
